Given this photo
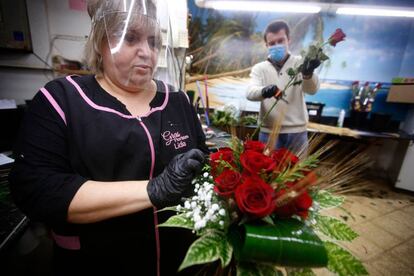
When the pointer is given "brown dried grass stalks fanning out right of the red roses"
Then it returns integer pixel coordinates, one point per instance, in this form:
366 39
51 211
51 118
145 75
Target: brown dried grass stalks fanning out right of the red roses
339 171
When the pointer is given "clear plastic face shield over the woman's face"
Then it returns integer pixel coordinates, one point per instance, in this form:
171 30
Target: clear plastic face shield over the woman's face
139 44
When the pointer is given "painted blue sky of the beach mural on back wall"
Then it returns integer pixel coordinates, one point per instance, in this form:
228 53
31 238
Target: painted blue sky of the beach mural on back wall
376 49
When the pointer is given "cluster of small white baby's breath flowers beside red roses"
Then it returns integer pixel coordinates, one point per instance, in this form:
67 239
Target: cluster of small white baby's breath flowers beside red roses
204 209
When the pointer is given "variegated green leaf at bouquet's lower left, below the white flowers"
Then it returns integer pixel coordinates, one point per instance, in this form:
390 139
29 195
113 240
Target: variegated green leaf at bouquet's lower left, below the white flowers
209 248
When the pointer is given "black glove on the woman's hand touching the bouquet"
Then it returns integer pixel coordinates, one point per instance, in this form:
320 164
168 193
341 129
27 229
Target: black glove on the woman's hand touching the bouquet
167 188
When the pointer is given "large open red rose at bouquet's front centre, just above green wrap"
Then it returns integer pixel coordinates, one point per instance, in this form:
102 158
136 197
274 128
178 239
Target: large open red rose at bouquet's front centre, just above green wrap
255 198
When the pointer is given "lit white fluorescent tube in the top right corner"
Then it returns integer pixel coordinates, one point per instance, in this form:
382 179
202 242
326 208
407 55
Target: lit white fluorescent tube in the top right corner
376 11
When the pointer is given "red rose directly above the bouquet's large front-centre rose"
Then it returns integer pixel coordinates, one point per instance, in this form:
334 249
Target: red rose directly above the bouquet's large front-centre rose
256 162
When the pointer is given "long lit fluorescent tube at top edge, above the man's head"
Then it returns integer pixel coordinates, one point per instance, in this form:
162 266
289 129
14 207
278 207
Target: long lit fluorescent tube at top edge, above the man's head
267 6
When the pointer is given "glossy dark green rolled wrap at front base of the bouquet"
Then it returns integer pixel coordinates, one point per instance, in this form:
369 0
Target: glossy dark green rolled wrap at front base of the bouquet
287 243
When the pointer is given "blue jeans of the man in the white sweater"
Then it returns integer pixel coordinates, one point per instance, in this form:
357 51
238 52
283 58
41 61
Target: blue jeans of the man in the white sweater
292 141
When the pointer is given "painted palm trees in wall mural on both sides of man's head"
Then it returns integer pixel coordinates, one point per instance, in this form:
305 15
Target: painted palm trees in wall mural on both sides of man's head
224 45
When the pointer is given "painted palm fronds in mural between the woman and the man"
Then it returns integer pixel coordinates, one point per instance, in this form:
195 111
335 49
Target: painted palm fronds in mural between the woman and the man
223 44
